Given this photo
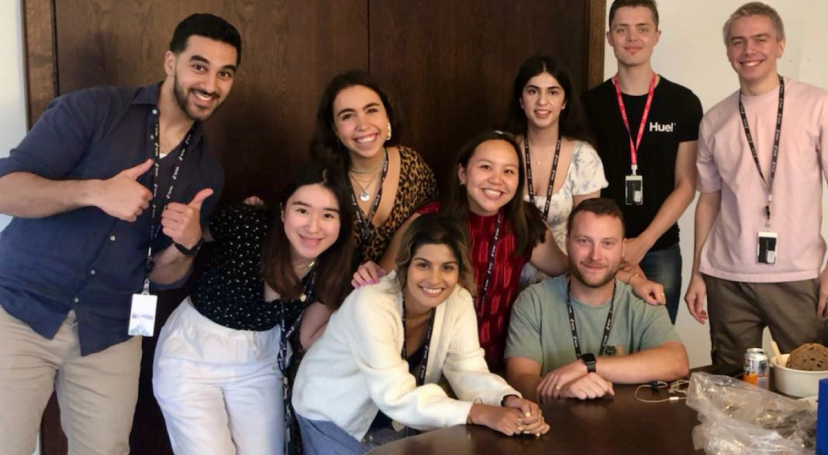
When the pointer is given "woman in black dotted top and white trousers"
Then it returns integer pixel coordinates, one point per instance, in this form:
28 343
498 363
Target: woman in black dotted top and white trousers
273 280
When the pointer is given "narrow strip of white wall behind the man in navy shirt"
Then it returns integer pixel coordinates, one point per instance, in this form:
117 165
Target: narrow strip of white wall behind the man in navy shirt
12 92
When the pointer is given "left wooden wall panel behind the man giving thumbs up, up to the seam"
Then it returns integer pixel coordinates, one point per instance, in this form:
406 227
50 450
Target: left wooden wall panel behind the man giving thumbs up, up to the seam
291 48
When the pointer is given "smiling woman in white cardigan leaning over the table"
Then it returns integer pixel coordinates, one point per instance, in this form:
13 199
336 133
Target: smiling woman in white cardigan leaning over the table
389 345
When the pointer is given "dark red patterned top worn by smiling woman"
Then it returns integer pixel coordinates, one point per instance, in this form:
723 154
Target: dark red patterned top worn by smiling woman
493 314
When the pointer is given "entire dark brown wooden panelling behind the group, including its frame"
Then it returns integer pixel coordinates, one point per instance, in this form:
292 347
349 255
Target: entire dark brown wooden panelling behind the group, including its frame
449 63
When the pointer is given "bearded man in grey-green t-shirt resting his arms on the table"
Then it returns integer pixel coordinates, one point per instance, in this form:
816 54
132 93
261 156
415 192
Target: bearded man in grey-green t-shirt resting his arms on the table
575 335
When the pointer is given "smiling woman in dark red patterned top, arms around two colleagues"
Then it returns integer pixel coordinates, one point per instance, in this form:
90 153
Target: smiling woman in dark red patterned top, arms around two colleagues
505 234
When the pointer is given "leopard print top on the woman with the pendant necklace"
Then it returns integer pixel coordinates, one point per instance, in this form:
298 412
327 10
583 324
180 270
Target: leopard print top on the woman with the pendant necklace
417 186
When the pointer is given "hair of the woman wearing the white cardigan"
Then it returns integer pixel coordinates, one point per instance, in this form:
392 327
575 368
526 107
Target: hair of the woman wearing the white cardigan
436 229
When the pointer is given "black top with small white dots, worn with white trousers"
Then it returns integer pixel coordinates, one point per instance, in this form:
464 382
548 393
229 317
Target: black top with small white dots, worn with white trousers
231 290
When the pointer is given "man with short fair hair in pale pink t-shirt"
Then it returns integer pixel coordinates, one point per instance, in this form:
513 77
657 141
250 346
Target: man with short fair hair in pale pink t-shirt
762 156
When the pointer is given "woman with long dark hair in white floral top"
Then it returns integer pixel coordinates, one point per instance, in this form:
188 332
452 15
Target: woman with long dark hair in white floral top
562 166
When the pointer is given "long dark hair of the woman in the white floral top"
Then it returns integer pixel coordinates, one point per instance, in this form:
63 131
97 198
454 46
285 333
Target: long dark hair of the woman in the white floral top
572 123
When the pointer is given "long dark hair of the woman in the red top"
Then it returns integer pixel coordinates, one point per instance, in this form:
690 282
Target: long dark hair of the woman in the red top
526 219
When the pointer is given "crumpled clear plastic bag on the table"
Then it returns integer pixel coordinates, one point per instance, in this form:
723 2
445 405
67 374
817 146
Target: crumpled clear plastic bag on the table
738 418
